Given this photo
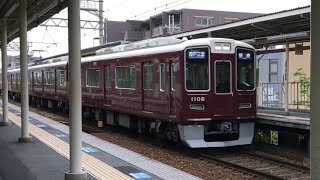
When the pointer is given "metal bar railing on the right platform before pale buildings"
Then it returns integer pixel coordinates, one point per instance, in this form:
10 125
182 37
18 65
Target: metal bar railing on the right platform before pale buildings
272 95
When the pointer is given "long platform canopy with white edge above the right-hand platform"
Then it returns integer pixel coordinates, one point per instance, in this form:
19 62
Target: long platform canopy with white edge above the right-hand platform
274 28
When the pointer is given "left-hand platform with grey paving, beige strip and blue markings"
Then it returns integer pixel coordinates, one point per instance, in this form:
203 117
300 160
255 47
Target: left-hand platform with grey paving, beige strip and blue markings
47 157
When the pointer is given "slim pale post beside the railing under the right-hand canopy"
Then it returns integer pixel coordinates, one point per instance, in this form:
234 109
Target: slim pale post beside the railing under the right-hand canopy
286 82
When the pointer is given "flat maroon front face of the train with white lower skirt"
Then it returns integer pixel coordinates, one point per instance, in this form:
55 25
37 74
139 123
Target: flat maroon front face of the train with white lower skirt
218 106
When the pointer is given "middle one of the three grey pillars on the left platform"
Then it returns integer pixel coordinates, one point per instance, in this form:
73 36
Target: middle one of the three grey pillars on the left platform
25 136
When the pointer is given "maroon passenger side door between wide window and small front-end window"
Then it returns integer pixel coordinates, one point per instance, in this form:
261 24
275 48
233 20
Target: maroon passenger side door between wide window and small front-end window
147 84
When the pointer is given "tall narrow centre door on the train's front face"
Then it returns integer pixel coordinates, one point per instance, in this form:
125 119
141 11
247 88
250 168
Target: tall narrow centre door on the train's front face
223 88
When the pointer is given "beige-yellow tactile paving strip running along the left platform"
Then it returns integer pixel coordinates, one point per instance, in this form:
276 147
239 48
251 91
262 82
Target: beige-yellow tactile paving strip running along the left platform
92 165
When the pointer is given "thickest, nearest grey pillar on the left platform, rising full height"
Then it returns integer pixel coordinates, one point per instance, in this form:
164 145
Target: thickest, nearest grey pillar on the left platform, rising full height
75 93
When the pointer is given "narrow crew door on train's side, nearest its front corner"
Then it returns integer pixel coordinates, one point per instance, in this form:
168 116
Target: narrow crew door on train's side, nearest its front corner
172 87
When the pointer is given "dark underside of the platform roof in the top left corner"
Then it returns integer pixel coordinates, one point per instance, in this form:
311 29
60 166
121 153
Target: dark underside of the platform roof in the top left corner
37 11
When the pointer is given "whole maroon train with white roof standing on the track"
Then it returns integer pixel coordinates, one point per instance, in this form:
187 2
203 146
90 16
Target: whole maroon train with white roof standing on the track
199 91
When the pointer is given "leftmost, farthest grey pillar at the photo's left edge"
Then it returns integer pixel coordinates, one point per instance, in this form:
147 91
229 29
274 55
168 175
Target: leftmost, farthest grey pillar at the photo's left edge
5 121
